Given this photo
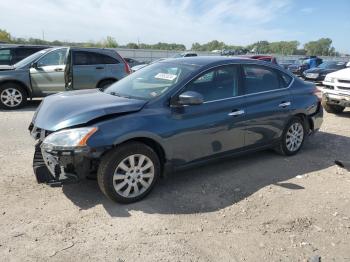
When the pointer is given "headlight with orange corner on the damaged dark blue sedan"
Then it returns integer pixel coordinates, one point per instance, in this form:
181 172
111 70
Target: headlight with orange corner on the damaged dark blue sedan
68 139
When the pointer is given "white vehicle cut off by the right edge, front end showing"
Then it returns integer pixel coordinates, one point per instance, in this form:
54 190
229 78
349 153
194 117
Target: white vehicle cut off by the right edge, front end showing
336 91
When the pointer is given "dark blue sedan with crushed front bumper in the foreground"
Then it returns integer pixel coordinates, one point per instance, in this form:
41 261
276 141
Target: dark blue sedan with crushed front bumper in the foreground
170 115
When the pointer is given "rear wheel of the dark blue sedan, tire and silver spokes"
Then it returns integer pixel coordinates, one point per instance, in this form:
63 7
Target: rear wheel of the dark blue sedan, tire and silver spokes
292 138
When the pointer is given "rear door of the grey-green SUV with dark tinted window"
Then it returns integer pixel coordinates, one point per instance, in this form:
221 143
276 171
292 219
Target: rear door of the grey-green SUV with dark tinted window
88 69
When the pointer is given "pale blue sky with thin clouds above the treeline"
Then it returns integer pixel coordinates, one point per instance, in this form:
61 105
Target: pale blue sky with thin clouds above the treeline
237 22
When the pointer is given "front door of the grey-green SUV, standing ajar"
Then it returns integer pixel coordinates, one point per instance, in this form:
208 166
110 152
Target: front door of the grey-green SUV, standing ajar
47 74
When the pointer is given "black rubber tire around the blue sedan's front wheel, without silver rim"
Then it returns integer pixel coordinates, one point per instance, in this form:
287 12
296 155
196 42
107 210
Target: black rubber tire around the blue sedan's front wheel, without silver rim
112 160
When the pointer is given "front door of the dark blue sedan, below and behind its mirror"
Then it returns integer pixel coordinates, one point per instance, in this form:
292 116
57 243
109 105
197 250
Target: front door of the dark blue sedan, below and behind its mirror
215 126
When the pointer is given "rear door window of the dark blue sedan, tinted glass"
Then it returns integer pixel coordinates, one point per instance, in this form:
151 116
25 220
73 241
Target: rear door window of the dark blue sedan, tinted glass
259 79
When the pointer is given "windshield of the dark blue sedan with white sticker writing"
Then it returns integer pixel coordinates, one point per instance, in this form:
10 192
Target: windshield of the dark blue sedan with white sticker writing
151 81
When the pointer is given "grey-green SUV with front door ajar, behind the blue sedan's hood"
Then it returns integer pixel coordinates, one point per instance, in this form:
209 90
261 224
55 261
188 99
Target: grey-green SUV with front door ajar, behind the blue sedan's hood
59 69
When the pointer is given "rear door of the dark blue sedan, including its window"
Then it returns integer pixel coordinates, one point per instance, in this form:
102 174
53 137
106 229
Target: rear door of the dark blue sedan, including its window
268 103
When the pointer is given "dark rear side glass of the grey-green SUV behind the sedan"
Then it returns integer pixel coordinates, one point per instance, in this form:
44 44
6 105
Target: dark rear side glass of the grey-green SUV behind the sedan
91 58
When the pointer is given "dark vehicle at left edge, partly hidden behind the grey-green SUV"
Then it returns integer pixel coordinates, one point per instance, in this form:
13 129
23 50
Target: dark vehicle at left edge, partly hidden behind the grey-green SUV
13 54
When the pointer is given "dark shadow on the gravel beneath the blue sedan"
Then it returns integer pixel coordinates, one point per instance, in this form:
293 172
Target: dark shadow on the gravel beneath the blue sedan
223 183
